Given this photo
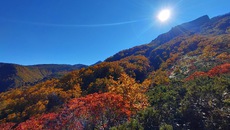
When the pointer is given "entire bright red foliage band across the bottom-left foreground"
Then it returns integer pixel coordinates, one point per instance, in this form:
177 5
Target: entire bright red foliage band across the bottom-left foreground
94 111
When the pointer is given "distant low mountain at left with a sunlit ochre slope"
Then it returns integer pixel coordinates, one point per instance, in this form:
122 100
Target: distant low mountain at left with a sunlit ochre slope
13 75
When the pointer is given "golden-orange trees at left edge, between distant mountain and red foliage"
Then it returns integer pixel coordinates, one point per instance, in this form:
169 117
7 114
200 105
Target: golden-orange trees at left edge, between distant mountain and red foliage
32 101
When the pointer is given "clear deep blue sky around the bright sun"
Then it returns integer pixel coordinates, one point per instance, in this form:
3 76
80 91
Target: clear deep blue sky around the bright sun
86 31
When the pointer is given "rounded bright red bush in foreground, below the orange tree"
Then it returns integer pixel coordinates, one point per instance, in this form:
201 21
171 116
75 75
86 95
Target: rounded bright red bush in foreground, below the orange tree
95 111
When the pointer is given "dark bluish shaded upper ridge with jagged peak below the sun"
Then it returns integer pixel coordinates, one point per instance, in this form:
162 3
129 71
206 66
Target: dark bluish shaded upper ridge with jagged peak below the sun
201 26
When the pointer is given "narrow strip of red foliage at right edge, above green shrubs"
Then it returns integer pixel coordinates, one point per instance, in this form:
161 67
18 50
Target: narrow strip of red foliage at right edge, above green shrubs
218 70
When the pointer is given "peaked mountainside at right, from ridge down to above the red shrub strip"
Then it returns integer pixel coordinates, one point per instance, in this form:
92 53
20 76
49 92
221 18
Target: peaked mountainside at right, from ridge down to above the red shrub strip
202 41
